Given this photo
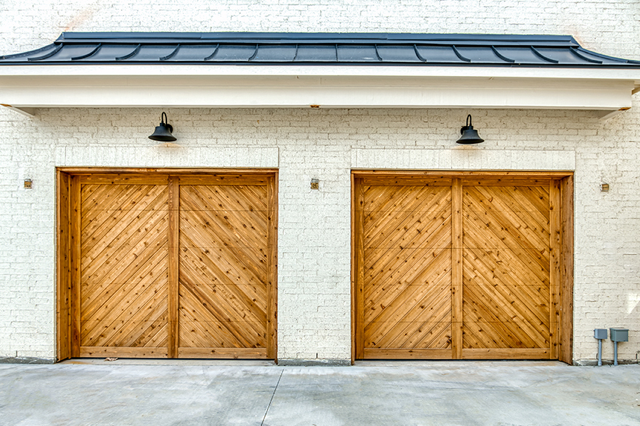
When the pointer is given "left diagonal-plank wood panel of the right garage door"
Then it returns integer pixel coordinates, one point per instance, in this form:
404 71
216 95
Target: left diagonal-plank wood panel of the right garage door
407 271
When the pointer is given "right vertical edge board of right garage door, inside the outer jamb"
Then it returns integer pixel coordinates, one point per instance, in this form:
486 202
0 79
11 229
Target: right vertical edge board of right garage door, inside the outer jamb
555 248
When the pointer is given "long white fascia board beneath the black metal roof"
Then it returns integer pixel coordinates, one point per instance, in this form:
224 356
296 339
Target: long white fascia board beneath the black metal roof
326 86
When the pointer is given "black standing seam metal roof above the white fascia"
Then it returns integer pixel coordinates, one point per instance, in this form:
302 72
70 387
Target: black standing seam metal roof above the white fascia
317 49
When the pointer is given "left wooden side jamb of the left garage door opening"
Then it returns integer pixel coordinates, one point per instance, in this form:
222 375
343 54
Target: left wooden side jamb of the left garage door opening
63 279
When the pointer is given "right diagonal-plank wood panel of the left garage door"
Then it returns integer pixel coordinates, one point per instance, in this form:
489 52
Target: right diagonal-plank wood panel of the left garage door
223 288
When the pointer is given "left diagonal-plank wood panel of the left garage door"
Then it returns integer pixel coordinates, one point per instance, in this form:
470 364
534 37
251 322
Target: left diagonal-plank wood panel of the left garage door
123 285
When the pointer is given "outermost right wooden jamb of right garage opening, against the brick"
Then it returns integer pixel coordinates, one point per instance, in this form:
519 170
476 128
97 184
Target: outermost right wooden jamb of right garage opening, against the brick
566 284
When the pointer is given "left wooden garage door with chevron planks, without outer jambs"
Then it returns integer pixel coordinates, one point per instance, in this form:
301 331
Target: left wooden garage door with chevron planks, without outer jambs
172 266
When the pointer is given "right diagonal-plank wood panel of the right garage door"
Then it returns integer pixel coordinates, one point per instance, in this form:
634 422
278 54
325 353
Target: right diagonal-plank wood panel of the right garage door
506 269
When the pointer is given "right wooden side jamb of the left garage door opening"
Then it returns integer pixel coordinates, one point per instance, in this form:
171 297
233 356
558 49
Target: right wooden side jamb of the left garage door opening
272 269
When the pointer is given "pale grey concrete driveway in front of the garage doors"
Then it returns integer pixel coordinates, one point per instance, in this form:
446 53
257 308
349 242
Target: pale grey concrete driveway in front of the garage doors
372 393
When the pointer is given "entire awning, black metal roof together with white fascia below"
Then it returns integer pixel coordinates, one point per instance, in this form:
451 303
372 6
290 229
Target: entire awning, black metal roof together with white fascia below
317 69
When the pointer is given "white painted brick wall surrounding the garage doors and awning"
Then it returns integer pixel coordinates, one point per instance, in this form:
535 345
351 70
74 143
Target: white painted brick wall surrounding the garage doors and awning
314 235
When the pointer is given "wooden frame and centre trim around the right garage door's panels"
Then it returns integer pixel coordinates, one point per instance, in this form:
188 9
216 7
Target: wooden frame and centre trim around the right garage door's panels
560 186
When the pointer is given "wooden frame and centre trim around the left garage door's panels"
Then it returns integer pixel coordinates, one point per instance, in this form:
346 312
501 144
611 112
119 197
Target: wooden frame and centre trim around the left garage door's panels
69 181
